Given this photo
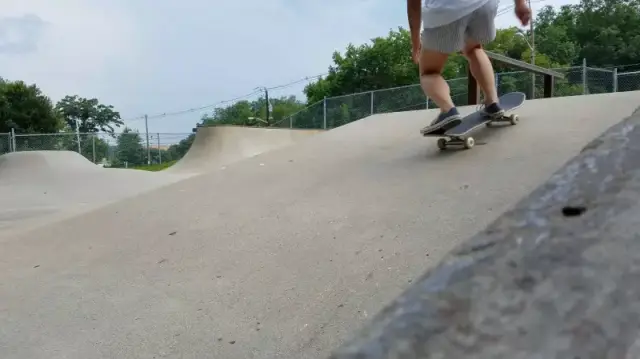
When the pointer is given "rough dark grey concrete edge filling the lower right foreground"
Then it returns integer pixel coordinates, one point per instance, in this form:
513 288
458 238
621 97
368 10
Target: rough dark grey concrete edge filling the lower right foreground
554 277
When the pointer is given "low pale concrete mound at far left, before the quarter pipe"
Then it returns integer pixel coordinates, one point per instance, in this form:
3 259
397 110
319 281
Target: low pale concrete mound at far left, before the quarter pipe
39 187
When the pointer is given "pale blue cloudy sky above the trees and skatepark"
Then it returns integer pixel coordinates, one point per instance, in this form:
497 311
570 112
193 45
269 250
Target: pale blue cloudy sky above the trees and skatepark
165 56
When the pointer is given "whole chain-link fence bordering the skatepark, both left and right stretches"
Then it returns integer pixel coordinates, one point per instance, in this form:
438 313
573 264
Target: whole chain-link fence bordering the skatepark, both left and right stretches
131 149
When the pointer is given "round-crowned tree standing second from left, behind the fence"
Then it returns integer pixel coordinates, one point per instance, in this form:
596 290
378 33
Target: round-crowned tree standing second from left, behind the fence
90 115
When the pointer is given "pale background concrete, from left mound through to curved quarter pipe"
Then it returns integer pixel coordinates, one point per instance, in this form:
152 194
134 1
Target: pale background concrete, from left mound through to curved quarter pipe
40 187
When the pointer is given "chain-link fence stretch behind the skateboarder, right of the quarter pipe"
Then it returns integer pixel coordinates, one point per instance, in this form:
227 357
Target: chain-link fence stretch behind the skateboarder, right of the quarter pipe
337 111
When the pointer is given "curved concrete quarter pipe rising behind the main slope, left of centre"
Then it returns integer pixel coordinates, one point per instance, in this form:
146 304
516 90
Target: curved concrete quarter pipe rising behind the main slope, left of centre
220 145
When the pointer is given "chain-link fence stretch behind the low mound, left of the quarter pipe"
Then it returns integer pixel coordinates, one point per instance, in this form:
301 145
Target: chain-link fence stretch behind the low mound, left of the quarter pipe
118 150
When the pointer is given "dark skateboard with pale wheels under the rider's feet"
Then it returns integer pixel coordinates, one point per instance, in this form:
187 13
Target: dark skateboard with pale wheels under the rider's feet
458 135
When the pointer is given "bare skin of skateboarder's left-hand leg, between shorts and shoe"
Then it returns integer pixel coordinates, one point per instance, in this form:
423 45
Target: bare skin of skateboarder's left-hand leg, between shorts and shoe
433 84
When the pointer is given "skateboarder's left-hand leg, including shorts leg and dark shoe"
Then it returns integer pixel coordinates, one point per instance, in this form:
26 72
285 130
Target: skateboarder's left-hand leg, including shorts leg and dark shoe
437 44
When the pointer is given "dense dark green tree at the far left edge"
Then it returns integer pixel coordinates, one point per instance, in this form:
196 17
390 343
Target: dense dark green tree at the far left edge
25 109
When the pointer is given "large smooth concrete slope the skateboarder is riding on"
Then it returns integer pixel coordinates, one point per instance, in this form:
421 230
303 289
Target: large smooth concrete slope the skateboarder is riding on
281 255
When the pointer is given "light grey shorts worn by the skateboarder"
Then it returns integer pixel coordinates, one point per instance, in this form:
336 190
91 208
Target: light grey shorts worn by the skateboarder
478 27
